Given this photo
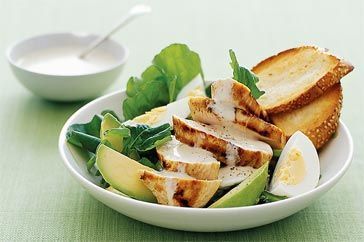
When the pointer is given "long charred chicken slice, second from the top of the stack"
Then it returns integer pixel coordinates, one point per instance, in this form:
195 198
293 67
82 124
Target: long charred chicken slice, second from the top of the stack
206 110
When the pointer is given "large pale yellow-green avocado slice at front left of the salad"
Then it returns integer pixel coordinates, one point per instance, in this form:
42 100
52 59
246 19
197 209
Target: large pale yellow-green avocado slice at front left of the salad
122 173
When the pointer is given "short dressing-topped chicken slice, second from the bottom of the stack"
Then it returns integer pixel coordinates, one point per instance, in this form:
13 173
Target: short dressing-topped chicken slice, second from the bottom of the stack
196 162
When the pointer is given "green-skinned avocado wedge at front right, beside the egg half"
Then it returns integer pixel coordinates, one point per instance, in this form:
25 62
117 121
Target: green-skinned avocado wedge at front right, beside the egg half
246 193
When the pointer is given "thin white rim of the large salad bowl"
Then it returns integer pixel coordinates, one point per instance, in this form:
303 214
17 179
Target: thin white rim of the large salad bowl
319 189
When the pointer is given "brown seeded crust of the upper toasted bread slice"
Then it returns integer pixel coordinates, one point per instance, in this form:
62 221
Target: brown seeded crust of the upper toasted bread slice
318 88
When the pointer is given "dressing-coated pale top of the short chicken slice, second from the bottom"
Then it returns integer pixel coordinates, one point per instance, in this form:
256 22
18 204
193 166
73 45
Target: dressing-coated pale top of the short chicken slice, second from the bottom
177 151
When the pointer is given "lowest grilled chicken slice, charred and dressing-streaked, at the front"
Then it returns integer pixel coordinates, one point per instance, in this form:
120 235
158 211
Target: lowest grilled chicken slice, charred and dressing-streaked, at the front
176 189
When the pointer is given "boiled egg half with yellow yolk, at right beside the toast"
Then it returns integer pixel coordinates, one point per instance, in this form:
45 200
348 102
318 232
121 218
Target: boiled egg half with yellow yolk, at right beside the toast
298 168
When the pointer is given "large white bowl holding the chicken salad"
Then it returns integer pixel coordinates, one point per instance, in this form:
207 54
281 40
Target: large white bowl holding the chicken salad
335 159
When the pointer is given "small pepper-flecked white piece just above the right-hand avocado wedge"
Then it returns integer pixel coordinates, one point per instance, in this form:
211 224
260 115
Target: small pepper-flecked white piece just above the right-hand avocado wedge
232 175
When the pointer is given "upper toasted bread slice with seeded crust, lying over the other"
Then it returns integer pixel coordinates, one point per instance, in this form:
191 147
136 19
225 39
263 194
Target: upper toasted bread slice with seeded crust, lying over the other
295 77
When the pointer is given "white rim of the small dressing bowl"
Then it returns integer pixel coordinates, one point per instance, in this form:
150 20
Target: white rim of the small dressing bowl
15 44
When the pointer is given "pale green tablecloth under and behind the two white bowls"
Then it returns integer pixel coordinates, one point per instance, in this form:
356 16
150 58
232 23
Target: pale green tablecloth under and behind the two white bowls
38 198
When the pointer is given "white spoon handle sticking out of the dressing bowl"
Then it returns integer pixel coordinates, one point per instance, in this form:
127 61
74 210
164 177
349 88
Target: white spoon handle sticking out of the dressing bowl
133 13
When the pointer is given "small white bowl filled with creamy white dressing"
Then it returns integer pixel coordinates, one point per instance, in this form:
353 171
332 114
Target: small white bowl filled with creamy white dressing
50 67
